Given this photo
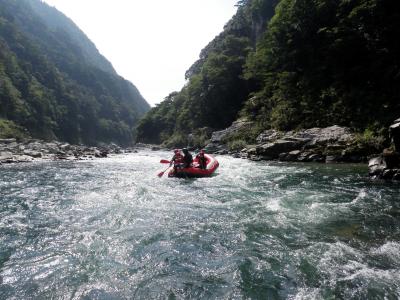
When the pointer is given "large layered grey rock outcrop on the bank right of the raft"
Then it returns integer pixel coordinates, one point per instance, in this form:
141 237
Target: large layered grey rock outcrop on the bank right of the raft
330 144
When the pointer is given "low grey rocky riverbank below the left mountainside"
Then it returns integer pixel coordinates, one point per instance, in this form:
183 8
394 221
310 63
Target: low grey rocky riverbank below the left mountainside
13 151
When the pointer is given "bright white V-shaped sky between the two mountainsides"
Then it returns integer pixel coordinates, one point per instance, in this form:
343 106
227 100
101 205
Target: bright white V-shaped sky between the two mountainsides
150 42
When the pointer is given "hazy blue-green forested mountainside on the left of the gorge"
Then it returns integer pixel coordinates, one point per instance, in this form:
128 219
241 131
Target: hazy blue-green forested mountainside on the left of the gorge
54 84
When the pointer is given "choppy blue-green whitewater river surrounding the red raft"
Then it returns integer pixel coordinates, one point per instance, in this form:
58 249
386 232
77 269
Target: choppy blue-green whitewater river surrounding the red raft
111 229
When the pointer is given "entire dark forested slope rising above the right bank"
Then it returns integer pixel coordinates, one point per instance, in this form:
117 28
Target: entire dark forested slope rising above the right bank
290 64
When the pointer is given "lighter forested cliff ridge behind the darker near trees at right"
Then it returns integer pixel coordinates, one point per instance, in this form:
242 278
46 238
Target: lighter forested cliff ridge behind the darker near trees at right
216 88
